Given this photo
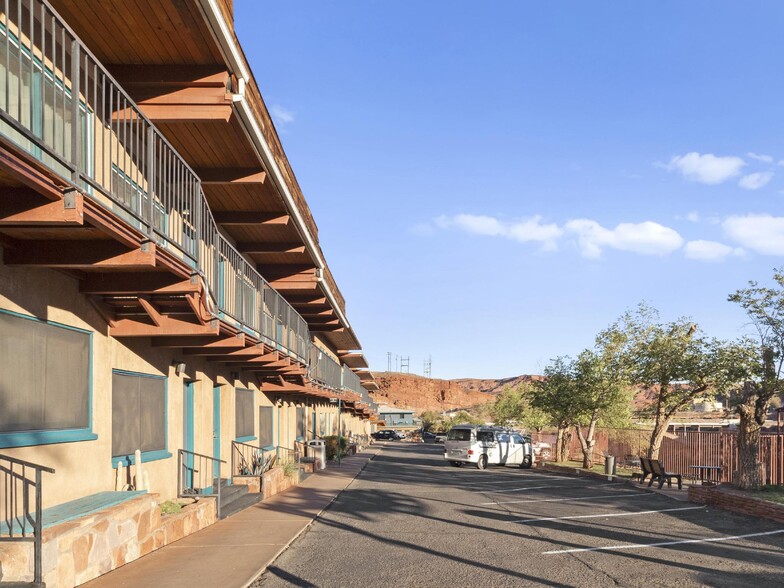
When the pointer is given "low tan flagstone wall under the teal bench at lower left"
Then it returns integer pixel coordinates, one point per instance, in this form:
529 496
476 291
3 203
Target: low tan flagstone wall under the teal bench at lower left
77 551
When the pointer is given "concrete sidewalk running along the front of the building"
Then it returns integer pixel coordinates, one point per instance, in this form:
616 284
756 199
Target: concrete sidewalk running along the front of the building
234 551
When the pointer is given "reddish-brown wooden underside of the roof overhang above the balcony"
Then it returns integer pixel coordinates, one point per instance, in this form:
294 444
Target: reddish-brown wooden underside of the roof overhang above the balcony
163 54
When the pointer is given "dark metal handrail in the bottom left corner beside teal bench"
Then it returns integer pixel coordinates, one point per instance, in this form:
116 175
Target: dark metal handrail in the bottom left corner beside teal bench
21 505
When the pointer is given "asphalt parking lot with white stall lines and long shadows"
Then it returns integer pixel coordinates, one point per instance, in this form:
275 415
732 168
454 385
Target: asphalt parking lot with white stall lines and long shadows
410 519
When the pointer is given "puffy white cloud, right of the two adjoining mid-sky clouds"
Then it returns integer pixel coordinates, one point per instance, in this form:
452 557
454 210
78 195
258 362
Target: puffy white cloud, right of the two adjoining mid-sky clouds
647 238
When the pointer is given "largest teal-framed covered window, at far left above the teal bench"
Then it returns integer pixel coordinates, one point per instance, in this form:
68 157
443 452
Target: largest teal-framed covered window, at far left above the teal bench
44 376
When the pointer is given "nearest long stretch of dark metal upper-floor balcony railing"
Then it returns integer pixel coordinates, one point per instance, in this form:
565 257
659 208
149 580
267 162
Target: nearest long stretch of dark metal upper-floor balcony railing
61 106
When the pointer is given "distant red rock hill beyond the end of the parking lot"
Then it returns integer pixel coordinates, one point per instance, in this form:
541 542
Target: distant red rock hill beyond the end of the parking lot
421 394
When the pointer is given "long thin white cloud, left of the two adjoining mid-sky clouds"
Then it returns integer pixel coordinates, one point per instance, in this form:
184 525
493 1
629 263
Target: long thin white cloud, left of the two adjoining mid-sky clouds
524 230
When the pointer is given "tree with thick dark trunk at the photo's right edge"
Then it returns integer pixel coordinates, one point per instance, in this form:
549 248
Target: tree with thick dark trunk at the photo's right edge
763 361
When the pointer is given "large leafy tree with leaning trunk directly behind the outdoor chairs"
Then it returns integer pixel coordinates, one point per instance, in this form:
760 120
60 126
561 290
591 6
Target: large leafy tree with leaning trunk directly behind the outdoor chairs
672 360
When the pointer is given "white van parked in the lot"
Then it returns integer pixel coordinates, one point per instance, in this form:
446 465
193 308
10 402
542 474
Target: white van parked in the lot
485 446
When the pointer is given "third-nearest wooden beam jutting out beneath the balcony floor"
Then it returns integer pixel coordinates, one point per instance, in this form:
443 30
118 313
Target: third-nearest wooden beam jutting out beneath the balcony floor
125 283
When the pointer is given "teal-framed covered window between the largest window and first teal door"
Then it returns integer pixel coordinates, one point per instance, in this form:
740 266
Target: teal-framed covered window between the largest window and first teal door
138 413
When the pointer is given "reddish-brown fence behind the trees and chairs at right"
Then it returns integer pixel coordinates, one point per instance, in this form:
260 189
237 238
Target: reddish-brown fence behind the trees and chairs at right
685 448
